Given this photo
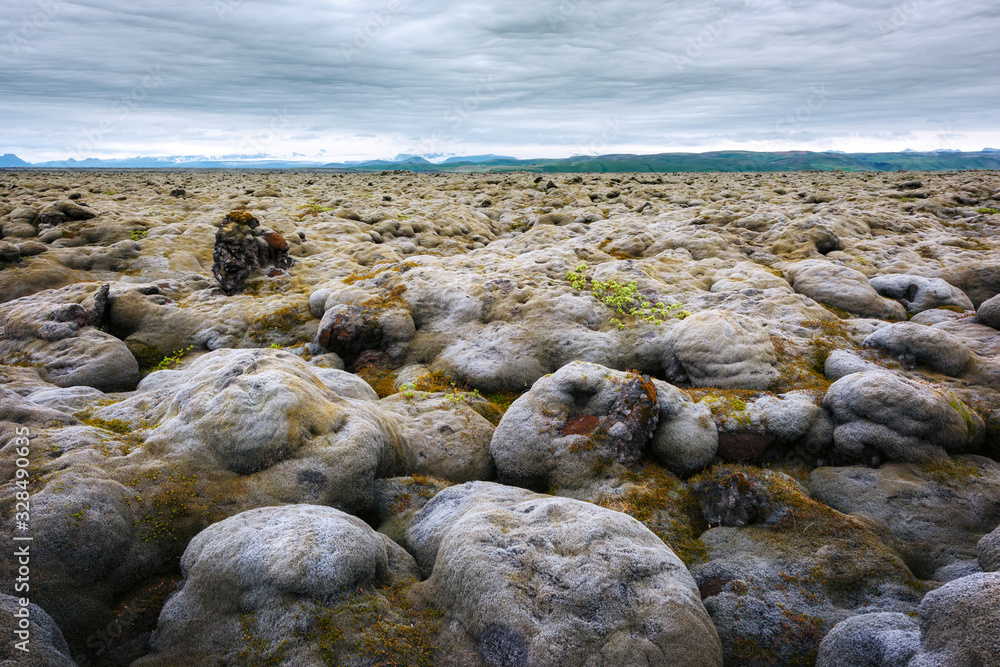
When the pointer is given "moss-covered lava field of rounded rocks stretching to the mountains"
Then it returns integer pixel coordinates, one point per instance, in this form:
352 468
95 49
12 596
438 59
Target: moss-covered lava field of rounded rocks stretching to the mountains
502 420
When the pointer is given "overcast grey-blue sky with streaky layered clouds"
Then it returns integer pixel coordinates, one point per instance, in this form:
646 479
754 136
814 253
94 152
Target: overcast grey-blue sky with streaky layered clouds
334 81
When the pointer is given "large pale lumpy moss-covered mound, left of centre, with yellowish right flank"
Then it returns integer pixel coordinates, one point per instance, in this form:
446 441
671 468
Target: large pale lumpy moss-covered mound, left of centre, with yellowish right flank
267 412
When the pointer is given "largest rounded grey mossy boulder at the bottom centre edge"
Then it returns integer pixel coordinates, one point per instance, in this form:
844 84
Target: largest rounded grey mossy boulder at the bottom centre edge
553 600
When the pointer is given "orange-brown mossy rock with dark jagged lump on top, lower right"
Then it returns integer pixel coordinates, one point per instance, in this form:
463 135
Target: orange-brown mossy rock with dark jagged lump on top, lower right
783 569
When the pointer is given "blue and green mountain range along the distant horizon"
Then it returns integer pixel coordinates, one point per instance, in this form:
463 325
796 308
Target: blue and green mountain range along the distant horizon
717 161
